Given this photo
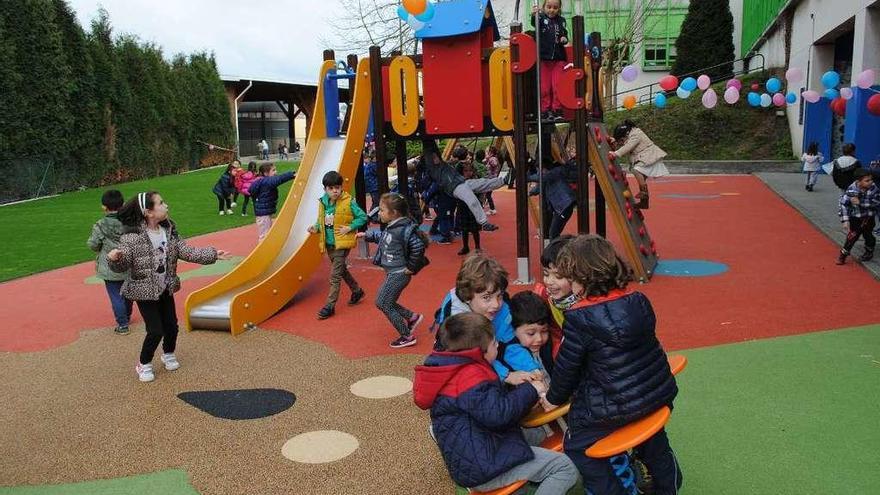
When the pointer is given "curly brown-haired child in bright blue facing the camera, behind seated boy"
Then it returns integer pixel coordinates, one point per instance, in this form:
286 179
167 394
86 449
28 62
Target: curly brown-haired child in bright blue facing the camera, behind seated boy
480 287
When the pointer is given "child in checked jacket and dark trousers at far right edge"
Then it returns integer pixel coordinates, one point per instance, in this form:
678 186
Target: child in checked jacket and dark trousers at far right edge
858 206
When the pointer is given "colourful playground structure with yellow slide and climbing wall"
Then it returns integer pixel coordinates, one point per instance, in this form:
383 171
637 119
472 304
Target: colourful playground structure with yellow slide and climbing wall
469 88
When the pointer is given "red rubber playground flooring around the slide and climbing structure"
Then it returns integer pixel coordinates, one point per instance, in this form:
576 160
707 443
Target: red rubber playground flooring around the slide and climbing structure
782 279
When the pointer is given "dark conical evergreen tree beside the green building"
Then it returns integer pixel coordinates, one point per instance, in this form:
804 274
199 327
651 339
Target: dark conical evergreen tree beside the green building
706 39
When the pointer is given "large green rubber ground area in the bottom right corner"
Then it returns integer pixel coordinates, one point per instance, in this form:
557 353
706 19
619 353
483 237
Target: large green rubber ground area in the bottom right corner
791 415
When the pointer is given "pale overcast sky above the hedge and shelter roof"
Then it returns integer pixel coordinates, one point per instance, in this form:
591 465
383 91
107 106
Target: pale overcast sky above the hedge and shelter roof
261 39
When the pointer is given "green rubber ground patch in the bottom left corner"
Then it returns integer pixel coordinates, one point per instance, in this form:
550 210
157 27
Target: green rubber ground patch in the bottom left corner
171 482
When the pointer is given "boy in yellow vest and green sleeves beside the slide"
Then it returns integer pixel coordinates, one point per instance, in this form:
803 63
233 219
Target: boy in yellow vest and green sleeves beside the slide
339 218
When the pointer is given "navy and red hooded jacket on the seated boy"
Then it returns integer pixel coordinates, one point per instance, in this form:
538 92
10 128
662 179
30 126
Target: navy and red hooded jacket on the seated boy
475 420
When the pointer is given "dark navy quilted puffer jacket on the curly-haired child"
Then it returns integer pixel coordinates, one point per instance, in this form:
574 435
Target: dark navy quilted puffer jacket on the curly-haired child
610 364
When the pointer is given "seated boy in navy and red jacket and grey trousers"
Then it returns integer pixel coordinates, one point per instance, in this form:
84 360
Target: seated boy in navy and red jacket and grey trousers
474 418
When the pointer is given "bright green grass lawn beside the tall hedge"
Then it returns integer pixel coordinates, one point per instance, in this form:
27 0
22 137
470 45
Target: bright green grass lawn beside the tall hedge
51 233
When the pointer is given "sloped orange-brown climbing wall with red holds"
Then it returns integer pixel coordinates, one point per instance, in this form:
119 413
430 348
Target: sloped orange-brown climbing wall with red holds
620 203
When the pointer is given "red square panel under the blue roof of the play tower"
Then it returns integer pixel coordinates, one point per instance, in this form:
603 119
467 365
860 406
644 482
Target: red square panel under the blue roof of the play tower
452 84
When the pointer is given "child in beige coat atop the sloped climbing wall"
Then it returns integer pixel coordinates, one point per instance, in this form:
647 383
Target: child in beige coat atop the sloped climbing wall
646 160
